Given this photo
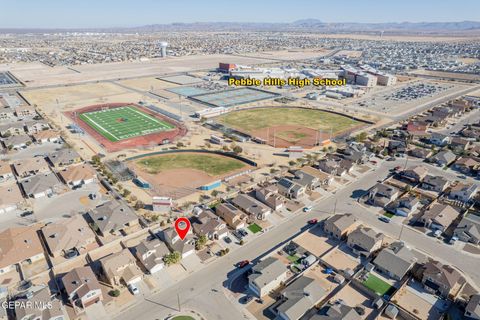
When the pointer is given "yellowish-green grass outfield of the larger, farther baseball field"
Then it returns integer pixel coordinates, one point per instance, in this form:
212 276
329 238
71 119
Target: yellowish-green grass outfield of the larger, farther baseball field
253 119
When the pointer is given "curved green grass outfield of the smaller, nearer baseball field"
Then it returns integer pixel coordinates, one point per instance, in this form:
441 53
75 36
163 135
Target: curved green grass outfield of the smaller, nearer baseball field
211 164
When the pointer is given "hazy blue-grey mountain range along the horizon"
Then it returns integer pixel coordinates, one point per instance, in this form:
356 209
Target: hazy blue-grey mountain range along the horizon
299 25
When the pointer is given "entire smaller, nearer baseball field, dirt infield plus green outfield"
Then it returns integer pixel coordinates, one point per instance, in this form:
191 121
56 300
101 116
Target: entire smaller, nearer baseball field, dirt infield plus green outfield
178 175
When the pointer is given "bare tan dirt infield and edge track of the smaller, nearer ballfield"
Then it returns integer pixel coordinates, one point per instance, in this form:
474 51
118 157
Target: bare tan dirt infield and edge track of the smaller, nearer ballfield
180 181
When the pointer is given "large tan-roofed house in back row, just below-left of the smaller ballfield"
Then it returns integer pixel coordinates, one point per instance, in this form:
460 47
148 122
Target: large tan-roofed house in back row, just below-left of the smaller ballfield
113 218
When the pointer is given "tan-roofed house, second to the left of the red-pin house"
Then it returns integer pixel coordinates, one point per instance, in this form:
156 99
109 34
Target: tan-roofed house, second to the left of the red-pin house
121 268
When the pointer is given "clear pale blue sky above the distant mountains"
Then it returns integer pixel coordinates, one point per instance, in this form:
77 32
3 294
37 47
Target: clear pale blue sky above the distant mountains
124 13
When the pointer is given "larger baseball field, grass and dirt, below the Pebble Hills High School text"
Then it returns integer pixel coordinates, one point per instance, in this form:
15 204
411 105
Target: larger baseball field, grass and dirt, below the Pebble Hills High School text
285 127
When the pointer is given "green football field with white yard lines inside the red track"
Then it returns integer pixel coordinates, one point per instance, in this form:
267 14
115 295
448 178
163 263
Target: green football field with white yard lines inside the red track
124 122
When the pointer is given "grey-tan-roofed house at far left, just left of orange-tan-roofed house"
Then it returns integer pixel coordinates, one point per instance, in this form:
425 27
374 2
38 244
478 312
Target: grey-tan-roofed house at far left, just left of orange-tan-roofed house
41 185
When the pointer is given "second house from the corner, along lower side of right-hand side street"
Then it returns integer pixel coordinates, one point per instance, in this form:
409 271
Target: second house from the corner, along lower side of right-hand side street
364 241
